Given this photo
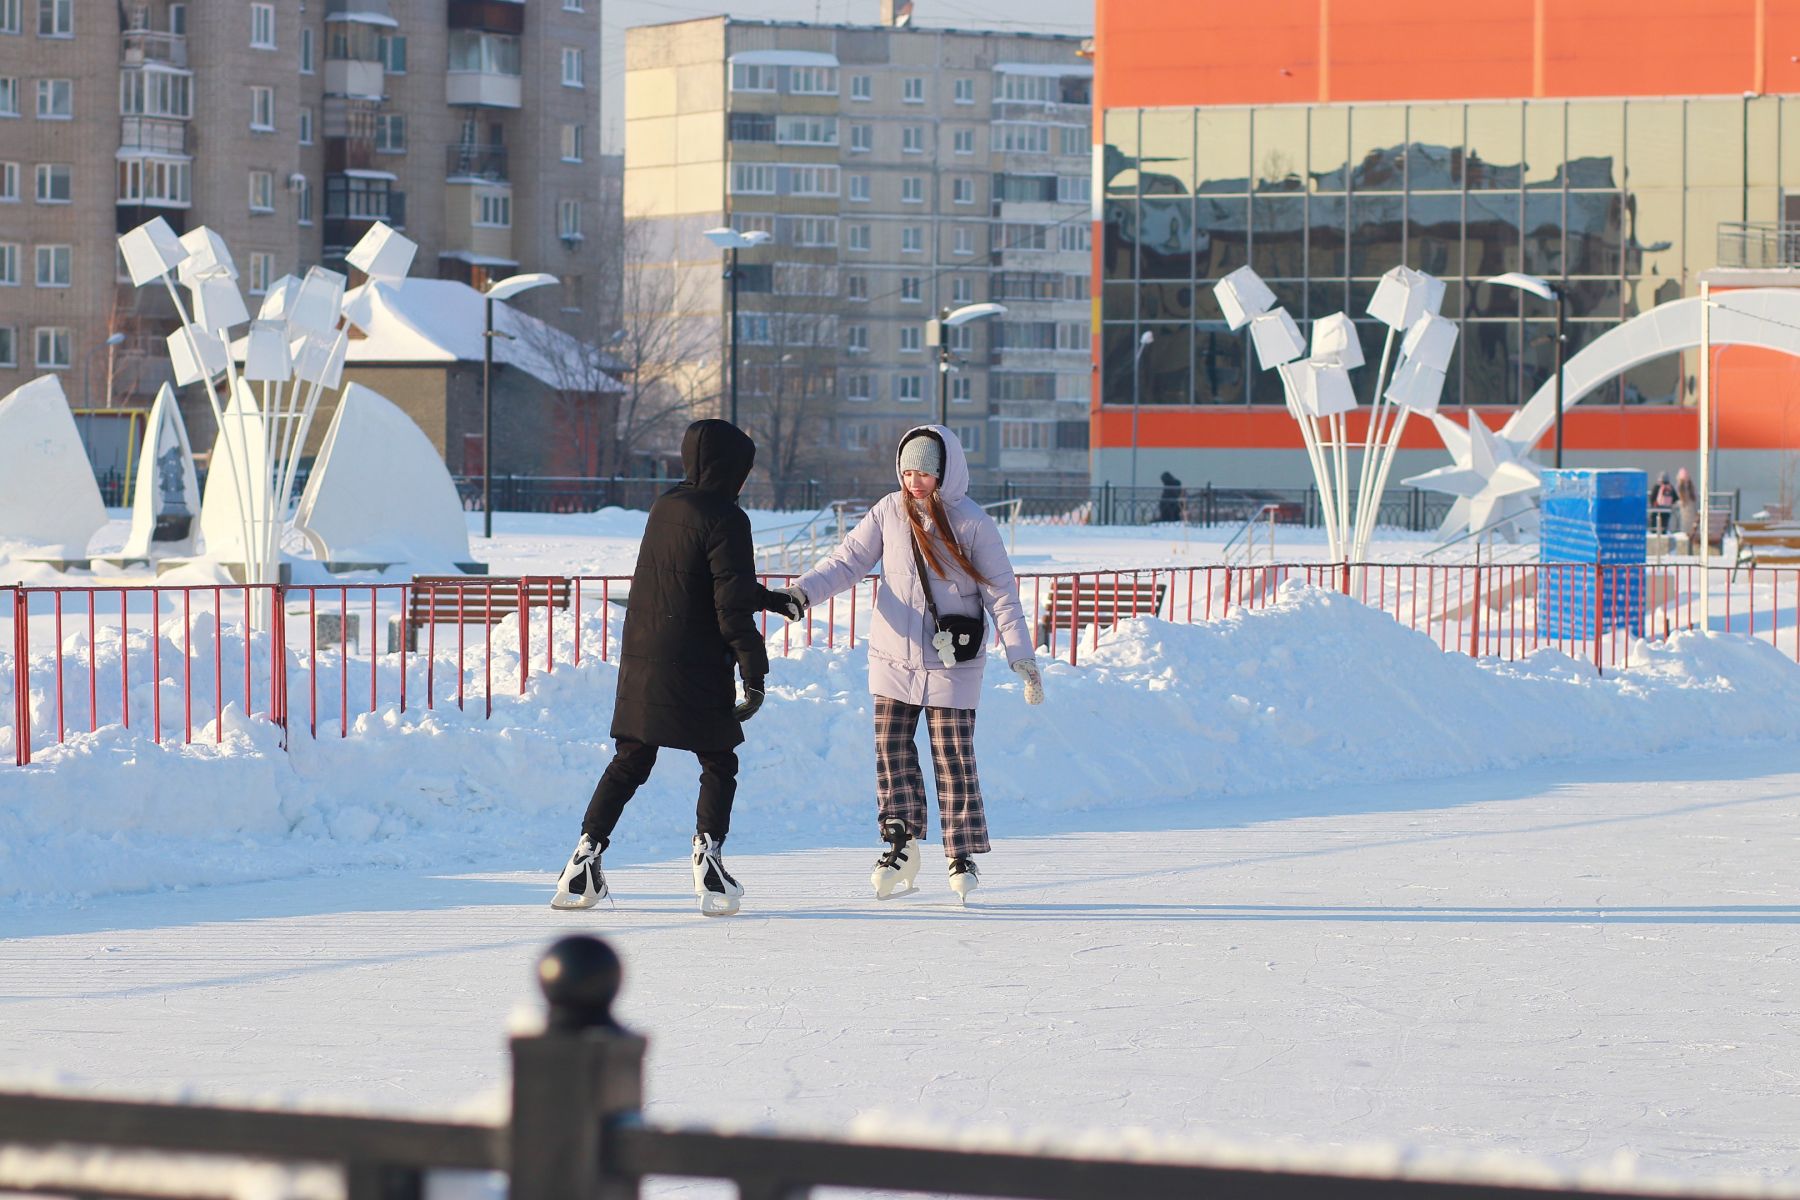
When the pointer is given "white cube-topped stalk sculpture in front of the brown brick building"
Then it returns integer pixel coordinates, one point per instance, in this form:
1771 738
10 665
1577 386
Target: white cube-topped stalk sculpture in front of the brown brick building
292 354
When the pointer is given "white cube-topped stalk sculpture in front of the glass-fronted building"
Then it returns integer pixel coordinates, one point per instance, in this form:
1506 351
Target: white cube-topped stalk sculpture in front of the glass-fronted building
1320 393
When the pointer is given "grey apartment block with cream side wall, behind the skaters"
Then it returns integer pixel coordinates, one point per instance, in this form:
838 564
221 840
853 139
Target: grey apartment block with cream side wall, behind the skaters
901 172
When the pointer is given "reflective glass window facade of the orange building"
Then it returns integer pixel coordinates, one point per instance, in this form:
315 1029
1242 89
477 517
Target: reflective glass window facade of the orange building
1617 202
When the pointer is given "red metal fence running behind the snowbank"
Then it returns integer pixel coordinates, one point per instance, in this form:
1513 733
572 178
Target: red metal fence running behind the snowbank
318 659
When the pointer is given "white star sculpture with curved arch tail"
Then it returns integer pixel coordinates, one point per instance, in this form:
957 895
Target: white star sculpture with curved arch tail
1493 476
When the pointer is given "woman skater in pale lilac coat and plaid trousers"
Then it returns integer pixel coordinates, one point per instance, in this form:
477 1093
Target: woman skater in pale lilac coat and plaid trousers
944 566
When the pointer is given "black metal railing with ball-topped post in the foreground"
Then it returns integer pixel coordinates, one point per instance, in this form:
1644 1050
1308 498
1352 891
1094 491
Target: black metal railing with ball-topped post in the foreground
577 1133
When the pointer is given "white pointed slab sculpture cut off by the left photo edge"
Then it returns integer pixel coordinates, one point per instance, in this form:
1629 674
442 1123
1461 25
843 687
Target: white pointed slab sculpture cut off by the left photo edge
48 492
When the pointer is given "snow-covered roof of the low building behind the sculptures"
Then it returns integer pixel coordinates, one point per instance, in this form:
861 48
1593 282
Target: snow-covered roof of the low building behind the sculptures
442 321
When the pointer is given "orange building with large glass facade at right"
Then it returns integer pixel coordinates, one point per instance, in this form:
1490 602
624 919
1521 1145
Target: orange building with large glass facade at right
1617 150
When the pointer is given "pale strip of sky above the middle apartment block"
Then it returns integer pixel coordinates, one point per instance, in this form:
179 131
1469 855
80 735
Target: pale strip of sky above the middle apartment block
1061 17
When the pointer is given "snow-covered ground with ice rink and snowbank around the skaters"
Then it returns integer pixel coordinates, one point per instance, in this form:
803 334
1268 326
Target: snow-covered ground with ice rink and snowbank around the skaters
1295 877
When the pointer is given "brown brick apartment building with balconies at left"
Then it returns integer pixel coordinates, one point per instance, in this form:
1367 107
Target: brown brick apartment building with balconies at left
289 127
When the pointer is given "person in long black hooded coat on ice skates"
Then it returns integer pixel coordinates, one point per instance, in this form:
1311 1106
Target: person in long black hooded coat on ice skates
688 622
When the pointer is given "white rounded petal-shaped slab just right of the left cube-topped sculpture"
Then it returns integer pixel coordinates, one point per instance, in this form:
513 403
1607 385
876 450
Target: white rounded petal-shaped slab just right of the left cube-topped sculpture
381 492
